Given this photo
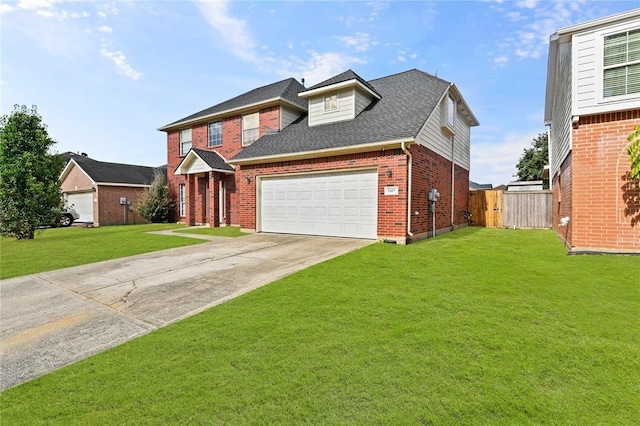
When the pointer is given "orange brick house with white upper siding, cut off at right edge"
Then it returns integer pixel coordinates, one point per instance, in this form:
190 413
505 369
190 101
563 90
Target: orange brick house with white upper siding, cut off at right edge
592 105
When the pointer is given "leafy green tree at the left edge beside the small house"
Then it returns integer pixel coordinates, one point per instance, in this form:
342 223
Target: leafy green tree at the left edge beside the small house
29 187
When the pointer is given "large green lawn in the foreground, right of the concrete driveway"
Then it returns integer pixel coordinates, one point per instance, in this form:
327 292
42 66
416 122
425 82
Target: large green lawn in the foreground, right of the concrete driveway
478 326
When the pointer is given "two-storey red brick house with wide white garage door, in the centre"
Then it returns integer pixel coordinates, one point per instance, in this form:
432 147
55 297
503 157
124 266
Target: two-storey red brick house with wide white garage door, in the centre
345 157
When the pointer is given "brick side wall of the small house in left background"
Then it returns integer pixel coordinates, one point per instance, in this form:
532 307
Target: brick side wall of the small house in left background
111 212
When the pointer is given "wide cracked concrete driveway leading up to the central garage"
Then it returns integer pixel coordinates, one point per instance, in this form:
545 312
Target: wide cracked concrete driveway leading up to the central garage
55 318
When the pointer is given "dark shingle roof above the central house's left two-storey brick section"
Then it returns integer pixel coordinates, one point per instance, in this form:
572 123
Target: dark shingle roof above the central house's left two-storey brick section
286 89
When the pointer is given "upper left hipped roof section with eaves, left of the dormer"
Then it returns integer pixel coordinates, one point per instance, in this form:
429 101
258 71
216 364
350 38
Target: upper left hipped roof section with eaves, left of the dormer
285 91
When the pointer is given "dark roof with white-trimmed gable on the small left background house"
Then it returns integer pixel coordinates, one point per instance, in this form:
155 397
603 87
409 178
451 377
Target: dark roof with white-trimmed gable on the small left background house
110 173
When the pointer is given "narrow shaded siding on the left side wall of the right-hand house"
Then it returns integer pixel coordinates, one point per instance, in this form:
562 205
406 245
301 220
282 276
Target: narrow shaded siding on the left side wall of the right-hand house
560 129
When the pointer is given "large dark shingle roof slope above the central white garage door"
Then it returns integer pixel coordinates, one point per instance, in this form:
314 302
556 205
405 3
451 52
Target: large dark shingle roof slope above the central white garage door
407 101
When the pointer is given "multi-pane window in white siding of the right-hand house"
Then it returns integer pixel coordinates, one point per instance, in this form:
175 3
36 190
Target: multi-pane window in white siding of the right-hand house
621 64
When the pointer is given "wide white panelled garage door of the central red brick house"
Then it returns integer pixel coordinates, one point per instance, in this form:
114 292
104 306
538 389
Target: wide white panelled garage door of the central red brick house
332 204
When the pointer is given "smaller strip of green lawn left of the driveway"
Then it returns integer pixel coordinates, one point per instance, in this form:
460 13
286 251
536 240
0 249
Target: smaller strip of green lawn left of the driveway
57 248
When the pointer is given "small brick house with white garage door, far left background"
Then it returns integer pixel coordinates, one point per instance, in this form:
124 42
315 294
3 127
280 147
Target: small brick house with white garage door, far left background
97 189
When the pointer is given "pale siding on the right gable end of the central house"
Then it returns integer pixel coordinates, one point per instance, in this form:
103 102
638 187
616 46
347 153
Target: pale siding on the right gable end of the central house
436 139
